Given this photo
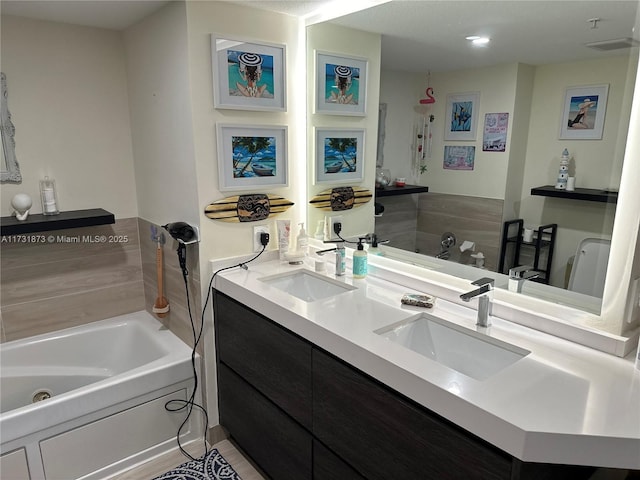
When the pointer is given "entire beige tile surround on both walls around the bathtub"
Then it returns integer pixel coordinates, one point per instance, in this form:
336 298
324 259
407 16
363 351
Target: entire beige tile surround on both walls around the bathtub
77 276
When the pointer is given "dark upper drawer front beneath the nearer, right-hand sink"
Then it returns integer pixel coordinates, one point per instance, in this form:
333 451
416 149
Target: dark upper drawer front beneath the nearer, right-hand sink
384 436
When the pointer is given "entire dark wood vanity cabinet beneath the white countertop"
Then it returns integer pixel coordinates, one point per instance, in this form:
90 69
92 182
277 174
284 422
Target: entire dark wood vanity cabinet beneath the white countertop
301 413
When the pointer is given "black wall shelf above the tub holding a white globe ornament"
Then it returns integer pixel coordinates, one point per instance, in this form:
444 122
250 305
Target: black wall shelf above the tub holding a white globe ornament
45 223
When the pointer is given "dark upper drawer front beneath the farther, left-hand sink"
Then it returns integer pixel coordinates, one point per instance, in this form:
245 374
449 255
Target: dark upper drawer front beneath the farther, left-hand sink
274 361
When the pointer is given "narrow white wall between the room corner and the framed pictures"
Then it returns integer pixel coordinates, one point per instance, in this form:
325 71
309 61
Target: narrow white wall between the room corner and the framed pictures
161 122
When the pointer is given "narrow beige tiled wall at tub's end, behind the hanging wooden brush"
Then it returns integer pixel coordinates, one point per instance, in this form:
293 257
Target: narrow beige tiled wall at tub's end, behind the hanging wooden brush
177 320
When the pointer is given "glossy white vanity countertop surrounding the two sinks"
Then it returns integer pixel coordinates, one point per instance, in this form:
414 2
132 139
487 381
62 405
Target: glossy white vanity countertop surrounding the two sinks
562 403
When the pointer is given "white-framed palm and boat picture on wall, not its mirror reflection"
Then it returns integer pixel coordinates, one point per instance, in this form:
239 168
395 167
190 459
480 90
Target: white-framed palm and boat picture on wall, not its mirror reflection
251 157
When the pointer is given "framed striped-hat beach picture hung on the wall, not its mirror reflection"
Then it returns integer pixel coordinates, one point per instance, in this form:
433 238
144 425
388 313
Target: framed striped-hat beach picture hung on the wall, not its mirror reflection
248 75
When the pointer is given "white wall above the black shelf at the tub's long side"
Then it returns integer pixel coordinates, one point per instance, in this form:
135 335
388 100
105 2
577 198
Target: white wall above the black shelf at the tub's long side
68 98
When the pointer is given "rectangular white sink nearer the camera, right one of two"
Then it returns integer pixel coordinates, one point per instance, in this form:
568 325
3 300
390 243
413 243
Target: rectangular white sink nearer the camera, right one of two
471 353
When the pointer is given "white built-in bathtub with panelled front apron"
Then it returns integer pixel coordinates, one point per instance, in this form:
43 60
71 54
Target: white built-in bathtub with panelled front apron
89 402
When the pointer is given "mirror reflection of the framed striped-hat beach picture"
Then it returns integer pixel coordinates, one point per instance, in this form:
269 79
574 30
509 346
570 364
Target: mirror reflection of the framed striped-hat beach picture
341 84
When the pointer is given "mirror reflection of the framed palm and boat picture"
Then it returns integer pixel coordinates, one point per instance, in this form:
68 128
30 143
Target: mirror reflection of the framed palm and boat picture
339 155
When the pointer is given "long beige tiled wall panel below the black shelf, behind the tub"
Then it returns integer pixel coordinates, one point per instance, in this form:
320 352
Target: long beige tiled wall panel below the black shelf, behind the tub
61 279
